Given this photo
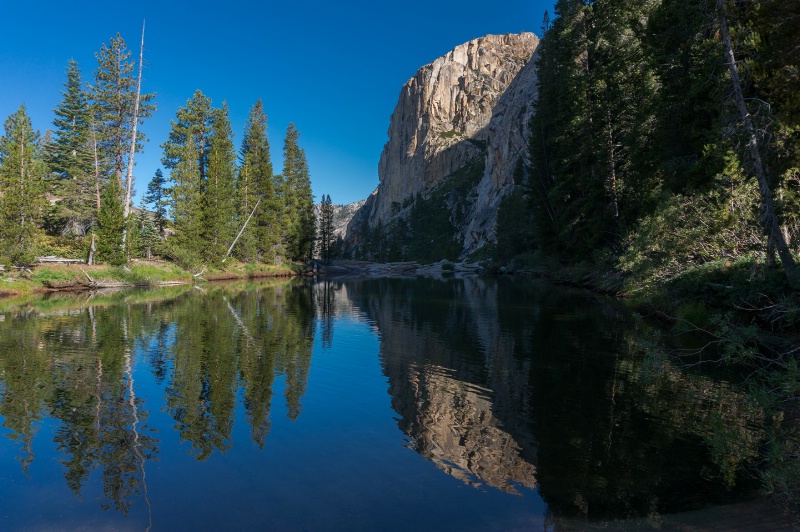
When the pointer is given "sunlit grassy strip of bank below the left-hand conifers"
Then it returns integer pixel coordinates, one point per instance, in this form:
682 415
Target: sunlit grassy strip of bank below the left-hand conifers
138 273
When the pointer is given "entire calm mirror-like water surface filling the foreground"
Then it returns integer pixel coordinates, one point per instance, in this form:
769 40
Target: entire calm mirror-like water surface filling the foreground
464 404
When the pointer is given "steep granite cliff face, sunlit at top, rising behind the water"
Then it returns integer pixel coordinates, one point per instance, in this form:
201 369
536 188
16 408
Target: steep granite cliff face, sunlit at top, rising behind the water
473 102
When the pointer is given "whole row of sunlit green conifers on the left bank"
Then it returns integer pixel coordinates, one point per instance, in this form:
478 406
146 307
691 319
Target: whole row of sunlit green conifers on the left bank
69 192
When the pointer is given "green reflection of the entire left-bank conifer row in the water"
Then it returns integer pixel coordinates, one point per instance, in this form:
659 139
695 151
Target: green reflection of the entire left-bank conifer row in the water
74 365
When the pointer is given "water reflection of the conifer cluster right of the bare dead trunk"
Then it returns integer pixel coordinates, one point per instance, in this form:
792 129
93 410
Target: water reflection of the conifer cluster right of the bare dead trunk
226 337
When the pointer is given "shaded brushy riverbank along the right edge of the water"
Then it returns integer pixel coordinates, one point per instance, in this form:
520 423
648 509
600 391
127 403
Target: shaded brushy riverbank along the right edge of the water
745 319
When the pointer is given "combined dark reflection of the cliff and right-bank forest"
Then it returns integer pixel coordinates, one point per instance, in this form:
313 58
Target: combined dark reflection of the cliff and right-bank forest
512 383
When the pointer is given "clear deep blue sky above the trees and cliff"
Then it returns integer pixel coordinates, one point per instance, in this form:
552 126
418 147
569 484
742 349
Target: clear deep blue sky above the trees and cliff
335 69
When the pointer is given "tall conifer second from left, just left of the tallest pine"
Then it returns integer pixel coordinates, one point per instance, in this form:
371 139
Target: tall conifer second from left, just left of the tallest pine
69 156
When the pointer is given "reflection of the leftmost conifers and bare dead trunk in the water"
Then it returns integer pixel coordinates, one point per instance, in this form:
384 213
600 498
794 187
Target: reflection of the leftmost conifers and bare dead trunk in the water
75 367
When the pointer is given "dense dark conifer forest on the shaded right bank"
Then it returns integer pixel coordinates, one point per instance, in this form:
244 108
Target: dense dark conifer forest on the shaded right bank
666 137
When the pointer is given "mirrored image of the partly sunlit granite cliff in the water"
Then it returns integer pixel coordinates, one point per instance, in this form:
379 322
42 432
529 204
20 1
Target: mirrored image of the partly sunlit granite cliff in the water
464 408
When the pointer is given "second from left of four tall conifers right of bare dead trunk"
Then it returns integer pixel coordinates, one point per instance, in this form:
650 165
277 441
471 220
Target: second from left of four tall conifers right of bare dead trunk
219 215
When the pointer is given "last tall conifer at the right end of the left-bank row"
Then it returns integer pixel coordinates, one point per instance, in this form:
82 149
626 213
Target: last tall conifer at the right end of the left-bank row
300 222
